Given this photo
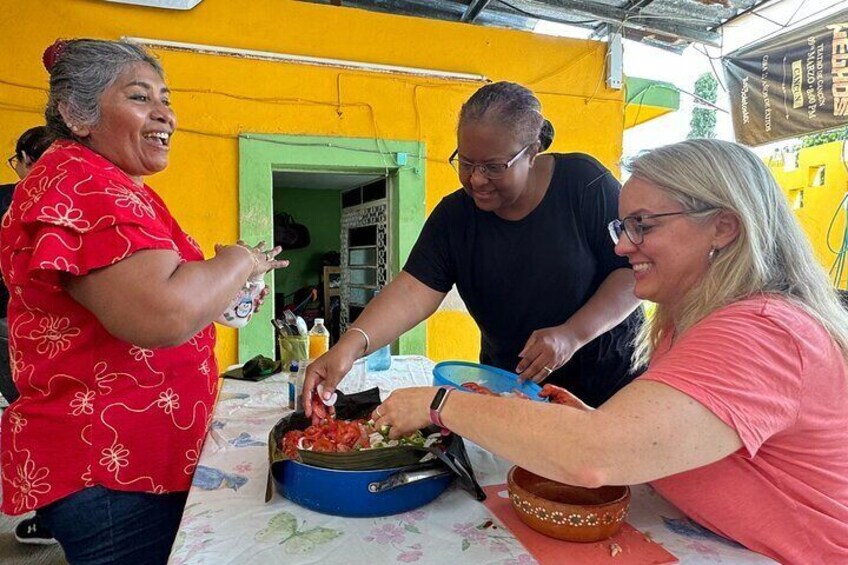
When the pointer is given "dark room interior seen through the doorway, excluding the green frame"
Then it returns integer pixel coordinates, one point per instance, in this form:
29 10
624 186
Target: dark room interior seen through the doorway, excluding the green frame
345 258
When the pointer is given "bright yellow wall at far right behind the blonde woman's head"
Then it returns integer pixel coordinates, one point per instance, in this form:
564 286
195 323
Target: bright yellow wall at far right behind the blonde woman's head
816 206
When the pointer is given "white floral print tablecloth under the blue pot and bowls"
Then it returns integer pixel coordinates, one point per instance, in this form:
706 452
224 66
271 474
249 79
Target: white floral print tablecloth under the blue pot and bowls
226 520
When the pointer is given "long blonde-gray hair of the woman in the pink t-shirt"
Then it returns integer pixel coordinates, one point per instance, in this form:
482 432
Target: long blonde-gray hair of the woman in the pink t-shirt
770 255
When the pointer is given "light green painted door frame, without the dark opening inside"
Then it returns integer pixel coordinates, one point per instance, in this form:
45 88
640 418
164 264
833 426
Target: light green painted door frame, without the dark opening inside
262 154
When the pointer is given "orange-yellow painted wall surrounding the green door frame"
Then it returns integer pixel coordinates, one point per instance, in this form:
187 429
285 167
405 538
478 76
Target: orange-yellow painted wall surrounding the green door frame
217 98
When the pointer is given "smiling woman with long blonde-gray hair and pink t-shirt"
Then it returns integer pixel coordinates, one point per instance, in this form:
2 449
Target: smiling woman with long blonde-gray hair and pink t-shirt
741 418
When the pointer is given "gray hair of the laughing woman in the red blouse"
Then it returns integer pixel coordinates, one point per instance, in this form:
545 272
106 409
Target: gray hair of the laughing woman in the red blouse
84 69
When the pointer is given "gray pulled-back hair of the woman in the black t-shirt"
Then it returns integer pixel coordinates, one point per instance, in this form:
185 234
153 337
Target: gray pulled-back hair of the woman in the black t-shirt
512 106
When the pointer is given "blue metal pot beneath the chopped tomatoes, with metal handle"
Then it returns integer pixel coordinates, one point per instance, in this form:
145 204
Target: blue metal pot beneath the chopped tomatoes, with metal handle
359 494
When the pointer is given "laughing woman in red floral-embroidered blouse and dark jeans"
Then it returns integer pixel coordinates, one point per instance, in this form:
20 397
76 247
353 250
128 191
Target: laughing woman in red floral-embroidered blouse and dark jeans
110 319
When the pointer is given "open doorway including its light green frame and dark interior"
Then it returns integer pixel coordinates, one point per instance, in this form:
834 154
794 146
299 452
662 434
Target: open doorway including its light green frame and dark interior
331 184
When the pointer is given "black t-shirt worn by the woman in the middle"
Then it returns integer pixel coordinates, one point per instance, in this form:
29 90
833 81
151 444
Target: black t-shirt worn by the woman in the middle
519 276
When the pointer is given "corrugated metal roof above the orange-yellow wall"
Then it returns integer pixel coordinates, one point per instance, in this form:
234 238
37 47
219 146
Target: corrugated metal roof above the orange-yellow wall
672 24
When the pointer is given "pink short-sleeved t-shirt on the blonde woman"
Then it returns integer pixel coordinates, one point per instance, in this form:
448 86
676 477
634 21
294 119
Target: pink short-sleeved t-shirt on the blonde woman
773 374
